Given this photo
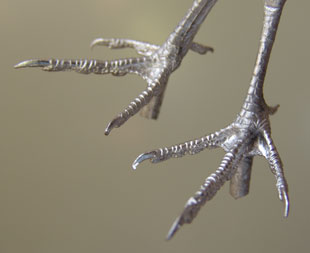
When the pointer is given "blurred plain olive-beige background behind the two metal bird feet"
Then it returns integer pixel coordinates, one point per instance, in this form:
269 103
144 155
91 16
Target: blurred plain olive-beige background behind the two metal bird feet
65 187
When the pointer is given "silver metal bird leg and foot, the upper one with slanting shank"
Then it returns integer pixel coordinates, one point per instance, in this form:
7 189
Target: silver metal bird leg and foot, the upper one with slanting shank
155 64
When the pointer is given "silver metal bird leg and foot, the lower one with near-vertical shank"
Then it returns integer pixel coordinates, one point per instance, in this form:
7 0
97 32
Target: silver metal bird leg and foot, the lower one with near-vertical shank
249 135
